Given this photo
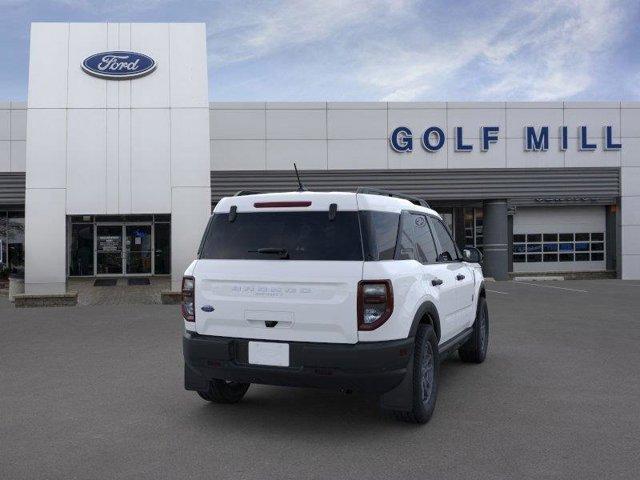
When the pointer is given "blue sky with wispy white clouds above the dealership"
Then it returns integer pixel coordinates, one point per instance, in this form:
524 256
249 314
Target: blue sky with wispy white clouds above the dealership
377 50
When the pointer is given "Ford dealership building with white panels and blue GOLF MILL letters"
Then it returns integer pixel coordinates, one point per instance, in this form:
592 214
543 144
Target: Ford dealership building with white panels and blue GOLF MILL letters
113 164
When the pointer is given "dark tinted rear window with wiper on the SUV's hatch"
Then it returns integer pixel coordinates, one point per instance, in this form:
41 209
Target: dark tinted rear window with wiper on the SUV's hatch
278 235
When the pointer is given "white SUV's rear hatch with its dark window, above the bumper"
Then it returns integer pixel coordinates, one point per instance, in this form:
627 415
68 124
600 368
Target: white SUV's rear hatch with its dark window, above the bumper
281 267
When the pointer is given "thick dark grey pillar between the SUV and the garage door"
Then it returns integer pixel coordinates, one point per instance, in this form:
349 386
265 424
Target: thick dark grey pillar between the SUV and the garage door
495 233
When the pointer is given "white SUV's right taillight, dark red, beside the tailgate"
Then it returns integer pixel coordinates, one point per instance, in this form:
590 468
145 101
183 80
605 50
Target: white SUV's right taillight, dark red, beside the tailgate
375 303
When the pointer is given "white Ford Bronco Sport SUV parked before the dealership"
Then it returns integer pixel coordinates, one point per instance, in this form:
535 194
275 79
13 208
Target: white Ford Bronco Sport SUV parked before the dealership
361 291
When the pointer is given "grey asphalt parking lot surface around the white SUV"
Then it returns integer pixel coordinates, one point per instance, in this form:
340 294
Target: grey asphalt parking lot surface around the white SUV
96 392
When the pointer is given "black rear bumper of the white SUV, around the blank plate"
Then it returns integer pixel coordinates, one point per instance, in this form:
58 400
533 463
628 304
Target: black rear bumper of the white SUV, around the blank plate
375 367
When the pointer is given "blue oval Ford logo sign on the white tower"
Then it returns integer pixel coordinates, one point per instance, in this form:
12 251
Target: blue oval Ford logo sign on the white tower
118 65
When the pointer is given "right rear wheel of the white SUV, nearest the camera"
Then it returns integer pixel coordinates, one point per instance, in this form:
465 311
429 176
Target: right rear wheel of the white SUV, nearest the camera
425 377
